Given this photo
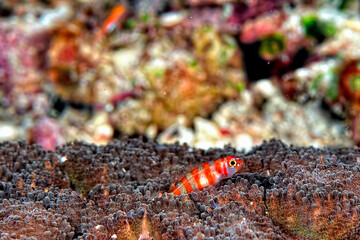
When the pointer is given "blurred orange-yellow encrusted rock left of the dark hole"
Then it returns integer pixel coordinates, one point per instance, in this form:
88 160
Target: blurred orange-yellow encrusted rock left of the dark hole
200 78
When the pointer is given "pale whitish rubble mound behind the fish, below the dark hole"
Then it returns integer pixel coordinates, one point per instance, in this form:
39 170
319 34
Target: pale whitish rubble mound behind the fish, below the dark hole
260 114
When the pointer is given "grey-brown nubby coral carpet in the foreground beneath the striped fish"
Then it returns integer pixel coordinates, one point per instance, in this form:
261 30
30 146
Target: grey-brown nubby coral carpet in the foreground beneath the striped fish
119 191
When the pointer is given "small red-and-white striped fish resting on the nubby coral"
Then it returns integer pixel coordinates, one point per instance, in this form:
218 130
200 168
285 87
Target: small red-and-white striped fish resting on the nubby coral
209 173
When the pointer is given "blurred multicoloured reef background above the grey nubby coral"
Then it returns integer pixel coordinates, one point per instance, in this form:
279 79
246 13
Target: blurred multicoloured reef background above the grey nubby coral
204 72
